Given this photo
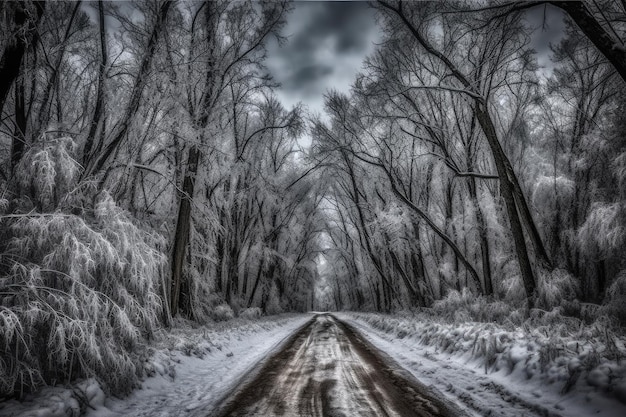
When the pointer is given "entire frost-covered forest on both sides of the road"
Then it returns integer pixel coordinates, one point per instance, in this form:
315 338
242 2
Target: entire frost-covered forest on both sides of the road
150 174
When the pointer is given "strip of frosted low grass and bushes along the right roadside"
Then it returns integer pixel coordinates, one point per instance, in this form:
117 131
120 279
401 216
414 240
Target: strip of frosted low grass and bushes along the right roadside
543 349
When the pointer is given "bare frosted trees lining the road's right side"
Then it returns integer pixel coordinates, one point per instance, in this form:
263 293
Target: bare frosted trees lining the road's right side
460 172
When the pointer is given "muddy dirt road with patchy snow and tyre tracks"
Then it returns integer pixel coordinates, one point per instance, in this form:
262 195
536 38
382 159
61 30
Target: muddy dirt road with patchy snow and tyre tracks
327 369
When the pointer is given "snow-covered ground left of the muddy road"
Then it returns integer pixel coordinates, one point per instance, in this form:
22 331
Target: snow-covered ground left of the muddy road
191 370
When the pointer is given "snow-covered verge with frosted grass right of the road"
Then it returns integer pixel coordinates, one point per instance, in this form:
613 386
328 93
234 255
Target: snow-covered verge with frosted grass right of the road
492 371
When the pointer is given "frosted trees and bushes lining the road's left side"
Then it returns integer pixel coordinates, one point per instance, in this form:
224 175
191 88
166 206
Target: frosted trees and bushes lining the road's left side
147 171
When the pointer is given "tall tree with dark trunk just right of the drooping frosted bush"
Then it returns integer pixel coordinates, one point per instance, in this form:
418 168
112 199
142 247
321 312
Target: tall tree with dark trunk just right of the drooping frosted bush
226 59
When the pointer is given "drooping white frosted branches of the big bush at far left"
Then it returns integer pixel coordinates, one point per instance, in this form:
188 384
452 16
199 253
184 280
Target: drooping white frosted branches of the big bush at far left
77 294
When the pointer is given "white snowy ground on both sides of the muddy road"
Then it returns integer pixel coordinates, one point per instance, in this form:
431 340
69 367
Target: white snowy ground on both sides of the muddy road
486 369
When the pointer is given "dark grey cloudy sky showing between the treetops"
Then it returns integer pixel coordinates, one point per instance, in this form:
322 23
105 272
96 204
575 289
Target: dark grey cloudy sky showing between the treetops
328 40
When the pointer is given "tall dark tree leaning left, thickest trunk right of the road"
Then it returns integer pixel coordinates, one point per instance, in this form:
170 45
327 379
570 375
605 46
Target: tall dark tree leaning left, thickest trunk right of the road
498 62
